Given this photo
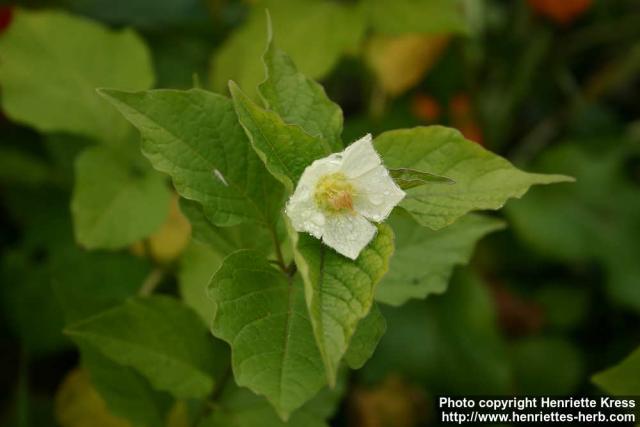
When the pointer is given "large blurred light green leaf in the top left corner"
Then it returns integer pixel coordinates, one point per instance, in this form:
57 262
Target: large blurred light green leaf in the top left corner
51 64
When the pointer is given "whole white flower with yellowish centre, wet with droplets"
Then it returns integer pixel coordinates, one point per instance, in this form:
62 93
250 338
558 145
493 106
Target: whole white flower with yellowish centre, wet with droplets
337 196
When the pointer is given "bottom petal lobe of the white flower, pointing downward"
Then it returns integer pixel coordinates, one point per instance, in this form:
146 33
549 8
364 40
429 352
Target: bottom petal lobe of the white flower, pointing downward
348 234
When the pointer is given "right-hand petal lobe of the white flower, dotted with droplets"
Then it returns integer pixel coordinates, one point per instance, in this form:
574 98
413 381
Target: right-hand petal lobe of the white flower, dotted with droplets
376 194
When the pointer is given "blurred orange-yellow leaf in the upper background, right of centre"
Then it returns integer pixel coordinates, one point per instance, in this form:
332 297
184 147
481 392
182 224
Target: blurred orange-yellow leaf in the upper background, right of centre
400 62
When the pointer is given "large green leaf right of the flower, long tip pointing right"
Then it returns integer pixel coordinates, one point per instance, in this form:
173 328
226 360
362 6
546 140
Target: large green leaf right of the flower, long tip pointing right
483 180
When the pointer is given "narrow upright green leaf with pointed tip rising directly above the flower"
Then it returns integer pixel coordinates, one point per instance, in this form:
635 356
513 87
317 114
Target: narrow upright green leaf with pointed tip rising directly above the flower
300 100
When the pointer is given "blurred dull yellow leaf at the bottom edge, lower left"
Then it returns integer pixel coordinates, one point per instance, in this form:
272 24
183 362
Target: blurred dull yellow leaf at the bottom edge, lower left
78 404
